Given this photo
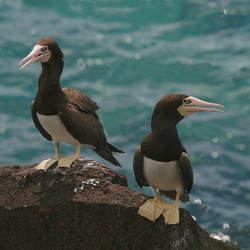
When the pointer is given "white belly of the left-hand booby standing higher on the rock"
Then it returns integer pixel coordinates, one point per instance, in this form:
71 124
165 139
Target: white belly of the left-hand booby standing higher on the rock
53 125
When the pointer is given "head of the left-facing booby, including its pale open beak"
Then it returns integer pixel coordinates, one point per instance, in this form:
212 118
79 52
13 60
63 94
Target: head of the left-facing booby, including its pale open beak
45 50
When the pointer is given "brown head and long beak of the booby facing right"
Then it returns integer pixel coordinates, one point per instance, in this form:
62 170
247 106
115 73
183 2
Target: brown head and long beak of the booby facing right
175 107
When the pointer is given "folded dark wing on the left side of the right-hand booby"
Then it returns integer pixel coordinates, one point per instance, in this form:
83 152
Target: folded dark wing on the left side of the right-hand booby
138 168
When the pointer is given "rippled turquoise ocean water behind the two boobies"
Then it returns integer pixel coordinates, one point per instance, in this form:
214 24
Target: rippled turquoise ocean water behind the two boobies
126 55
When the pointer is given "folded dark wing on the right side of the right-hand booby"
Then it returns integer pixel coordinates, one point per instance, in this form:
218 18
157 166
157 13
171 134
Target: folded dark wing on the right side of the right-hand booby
186 171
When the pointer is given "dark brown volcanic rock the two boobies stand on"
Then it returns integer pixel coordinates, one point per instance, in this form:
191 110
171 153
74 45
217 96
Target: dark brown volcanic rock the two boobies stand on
88 206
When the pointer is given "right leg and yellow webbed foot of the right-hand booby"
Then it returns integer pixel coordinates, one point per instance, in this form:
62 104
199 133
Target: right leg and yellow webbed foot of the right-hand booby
171 213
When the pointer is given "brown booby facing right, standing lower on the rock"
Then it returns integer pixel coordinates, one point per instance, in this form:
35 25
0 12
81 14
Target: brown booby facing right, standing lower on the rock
161 161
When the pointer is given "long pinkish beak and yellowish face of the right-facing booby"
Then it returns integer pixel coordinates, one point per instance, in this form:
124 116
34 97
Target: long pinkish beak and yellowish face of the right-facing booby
194 105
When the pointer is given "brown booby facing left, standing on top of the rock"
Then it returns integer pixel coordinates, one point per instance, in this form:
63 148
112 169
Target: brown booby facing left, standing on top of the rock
64 115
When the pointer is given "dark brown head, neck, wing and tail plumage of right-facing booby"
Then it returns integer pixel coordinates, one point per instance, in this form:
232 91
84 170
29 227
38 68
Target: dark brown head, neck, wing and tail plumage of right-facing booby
163 144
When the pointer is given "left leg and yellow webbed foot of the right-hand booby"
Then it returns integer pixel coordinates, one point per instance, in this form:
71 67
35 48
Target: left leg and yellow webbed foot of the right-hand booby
153 208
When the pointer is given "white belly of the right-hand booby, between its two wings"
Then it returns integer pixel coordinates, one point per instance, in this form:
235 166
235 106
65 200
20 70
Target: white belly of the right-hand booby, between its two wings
163 175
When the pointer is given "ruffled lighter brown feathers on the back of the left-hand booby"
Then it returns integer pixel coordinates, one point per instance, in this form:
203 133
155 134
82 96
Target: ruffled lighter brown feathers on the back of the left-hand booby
80 100
